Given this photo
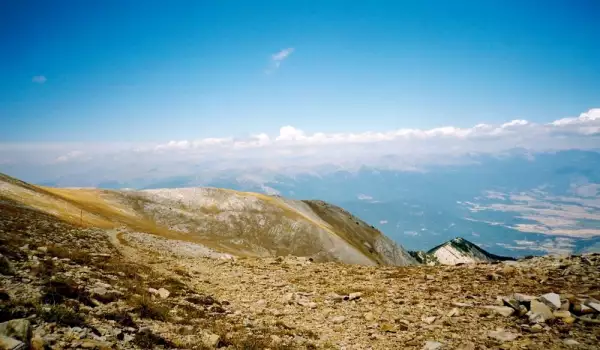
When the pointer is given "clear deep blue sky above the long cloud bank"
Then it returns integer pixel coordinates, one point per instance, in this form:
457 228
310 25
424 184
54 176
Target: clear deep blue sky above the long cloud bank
109 71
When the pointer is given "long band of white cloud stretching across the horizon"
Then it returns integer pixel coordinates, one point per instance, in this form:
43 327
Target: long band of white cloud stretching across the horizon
400 149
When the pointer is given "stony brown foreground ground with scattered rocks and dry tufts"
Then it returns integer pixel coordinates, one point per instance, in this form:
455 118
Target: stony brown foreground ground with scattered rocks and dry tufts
67 287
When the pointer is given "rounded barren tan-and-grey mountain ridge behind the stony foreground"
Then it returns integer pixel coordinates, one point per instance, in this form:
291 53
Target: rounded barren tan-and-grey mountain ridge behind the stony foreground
238 223
